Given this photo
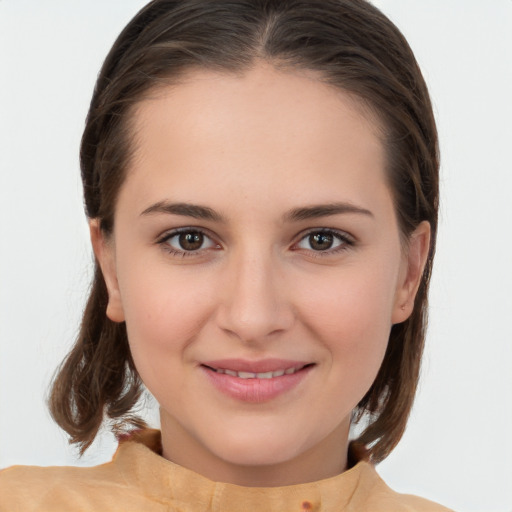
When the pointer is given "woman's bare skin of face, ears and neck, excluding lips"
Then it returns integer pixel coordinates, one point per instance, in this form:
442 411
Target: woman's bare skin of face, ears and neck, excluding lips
253 148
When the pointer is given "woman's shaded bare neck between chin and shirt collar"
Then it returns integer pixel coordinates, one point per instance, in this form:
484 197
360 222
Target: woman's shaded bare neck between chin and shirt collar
324 460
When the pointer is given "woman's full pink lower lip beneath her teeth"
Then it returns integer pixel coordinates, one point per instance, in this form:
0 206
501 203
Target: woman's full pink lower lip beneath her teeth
255 390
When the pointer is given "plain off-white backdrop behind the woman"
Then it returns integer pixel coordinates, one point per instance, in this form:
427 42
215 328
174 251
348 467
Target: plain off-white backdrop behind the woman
458 447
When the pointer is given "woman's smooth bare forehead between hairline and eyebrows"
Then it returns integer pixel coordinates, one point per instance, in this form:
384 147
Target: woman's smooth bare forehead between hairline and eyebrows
260 131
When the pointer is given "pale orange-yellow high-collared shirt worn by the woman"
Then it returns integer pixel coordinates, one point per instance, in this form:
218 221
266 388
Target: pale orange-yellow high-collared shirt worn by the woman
139 479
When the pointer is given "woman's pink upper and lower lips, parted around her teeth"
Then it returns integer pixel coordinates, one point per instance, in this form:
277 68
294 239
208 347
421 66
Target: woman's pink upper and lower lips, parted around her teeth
255 390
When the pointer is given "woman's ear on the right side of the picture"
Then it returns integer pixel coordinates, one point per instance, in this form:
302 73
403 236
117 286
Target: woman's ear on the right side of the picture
411 272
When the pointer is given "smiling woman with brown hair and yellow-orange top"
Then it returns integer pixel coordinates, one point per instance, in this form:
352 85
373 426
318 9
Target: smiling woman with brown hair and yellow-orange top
261 183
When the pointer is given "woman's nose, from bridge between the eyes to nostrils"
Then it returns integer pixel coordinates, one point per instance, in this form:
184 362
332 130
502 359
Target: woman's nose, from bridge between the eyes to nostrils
254 304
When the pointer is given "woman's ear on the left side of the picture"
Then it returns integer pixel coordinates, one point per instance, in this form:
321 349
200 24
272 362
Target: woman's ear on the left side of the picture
104 250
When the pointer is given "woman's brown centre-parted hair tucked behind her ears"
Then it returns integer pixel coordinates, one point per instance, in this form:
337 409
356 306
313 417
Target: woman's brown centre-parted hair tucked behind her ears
352 46
